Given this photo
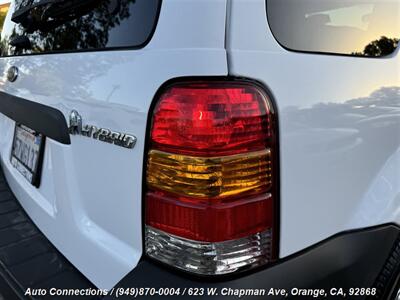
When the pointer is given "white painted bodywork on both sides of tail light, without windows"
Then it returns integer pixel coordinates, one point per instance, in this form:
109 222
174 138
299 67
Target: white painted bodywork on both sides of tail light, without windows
339 157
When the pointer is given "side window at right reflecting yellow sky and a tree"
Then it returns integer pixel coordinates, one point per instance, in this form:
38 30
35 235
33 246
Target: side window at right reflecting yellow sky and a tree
352 27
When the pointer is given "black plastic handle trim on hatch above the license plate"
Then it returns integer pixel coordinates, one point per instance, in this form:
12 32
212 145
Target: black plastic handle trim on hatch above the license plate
42 118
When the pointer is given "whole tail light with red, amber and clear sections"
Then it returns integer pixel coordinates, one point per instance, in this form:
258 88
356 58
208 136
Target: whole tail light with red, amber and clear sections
210 199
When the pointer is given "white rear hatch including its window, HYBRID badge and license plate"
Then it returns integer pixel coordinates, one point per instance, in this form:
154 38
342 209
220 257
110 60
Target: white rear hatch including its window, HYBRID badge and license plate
101 64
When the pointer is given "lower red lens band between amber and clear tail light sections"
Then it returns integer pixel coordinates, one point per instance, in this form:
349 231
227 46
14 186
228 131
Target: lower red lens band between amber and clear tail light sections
209 222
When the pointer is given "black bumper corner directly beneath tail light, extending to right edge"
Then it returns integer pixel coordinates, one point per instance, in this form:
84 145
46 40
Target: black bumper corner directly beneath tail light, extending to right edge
351 259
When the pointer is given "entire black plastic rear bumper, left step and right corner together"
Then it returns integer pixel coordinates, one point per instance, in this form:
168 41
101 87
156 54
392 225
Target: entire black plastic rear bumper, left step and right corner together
368 258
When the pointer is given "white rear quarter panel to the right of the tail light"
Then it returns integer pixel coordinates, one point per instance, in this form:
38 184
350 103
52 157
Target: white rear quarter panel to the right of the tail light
339 119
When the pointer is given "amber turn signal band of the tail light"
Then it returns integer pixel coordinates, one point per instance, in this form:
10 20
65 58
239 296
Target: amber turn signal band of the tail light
205 177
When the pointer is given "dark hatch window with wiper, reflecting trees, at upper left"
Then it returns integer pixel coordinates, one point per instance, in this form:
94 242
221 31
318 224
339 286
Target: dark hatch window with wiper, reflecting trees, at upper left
75 25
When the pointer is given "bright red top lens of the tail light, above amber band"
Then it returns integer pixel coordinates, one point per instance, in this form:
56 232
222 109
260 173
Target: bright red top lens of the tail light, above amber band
204 120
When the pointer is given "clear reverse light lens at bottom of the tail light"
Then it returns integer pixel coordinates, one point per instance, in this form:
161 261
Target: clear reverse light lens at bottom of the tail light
209 258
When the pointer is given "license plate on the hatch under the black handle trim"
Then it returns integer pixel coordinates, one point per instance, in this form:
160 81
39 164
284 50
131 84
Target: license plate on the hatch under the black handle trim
27 153
